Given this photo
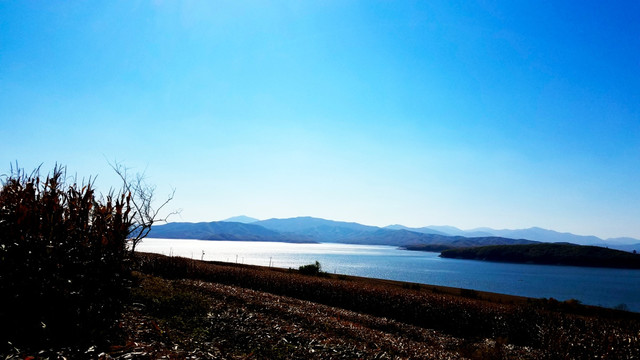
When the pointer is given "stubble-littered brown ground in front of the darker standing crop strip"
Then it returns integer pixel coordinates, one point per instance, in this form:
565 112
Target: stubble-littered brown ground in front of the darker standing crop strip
248 324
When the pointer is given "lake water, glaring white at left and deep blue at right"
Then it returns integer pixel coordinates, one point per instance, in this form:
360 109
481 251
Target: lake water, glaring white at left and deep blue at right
594 286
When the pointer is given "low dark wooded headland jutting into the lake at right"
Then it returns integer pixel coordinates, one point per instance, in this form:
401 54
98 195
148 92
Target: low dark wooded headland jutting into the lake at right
550 254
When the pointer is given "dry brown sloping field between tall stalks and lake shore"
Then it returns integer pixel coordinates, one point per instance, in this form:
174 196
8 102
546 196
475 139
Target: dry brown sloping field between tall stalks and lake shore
190 309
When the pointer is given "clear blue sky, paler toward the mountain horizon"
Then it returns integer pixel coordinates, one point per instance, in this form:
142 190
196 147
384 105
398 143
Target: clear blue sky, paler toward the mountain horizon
506 114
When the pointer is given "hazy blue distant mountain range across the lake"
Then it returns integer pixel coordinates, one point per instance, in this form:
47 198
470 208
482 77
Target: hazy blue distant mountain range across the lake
434 238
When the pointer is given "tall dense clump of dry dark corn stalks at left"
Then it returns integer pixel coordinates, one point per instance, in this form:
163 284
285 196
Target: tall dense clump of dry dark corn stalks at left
64 265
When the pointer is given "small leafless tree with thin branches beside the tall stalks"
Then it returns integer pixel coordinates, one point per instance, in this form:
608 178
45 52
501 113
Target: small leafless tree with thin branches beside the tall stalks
145 215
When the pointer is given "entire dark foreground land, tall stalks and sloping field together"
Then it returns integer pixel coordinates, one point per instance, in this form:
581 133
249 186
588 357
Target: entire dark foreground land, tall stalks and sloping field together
69 288
